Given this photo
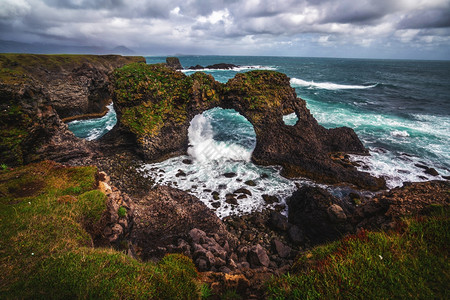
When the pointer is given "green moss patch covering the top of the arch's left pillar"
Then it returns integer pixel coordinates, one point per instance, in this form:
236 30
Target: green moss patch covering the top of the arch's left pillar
149 96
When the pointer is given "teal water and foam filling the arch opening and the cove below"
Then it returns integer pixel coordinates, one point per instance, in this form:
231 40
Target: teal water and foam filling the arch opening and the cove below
218 167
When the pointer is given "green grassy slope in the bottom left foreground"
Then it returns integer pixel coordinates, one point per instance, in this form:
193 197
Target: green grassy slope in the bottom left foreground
46 252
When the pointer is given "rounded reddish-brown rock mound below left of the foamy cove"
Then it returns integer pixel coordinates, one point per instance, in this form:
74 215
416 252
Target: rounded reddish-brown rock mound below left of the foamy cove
164 215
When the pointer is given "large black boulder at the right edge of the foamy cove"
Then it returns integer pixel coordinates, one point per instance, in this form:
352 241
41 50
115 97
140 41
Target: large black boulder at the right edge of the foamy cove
309 209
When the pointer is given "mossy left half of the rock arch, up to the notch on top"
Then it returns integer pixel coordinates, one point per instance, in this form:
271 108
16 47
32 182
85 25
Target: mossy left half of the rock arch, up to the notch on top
156 103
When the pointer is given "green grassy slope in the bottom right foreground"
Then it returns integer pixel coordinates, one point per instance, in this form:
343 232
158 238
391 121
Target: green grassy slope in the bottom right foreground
409 263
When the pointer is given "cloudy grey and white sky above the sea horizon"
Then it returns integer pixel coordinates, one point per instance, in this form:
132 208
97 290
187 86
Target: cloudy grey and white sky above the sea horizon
404 29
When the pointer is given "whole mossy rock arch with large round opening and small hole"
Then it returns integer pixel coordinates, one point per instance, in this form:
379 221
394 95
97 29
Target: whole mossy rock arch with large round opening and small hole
155 105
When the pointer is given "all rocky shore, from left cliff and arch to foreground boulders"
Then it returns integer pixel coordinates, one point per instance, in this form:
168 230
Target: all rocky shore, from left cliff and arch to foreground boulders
149 221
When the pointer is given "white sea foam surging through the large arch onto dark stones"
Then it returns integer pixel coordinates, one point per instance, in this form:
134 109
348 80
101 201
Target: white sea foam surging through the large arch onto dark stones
210 161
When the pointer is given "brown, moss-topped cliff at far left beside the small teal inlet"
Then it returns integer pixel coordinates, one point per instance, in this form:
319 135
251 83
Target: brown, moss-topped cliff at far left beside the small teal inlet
37 91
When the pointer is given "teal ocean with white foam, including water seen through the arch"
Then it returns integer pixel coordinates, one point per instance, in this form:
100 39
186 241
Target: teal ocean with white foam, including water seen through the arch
400 110
